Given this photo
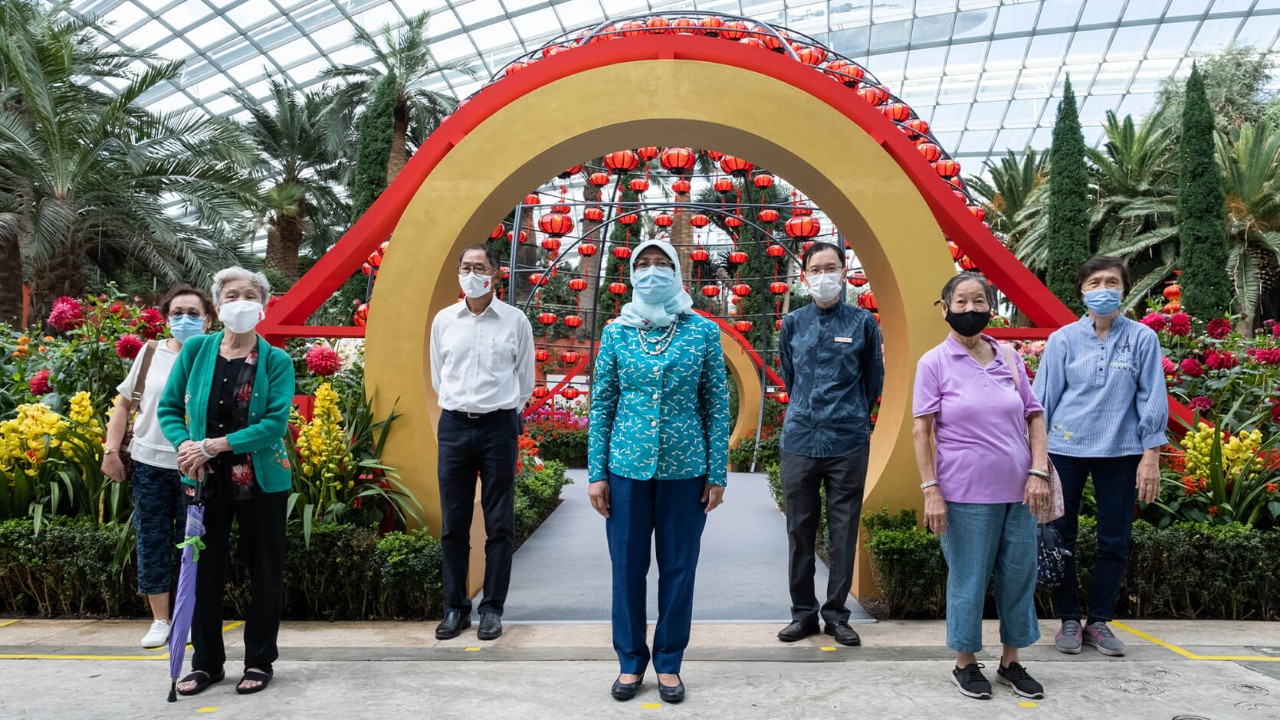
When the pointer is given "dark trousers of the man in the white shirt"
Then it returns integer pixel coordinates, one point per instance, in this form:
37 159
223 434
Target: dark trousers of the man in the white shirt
486 446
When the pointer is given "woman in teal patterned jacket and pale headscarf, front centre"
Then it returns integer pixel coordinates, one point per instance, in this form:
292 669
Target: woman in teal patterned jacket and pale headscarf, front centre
659 457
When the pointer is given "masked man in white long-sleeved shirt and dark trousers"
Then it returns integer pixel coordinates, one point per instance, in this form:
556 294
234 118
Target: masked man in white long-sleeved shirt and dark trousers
483 373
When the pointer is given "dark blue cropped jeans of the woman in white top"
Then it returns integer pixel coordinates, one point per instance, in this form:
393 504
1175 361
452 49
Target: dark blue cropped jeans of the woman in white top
161 521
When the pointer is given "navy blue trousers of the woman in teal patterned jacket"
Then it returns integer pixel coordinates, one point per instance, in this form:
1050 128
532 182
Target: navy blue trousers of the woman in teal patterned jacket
670 516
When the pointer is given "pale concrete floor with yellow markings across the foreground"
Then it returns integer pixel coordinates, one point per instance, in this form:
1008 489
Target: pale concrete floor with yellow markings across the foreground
1215 671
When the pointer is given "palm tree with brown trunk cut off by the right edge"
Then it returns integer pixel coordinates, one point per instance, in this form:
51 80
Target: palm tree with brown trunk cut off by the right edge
1251 179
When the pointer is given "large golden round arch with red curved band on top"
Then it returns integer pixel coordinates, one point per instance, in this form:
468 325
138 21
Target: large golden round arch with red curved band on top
826 142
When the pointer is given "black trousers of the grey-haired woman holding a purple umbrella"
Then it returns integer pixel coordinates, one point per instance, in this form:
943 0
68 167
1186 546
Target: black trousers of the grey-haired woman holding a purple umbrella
262 545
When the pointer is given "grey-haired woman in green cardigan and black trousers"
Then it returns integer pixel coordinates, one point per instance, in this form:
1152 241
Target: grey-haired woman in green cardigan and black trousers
226 409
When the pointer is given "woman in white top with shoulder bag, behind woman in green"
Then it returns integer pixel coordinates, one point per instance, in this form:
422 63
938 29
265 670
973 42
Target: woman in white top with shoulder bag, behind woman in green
159 509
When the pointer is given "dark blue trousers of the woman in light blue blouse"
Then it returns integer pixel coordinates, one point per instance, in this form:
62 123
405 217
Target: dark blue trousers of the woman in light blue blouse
1116 486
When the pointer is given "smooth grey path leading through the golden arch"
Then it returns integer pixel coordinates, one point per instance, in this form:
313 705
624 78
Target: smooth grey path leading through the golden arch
563 572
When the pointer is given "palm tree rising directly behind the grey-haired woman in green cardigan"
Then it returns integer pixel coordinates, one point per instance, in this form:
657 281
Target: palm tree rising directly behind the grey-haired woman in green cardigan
299 170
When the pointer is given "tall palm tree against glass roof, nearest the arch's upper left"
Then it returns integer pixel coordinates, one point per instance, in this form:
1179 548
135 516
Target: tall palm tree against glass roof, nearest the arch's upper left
418 110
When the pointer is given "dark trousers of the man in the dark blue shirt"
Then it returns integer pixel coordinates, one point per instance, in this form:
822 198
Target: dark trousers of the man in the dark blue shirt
844 480
